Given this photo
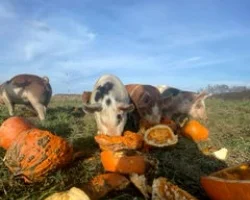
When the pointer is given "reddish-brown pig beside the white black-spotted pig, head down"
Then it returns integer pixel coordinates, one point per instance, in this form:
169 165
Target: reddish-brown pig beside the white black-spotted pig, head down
148 105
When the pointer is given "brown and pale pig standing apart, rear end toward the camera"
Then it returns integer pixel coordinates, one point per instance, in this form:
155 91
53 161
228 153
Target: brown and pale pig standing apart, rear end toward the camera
27 89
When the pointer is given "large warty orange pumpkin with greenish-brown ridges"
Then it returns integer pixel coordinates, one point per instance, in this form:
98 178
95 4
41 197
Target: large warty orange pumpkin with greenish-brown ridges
37 152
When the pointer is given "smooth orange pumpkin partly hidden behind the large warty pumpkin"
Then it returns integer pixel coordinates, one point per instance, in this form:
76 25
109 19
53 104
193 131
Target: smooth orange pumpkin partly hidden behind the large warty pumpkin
11 128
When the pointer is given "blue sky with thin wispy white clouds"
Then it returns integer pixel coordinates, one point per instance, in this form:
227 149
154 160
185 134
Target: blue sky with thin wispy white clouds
183 43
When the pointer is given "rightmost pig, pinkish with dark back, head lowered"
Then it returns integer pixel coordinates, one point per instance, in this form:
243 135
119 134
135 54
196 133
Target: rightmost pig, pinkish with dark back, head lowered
184 102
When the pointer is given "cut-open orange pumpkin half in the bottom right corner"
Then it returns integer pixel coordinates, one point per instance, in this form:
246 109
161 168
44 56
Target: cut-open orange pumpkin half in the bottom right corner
230 183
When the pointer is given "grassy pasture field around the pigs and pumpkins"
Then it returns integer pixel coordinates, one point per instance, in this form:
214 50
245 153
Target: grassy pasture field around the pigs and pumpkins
229 125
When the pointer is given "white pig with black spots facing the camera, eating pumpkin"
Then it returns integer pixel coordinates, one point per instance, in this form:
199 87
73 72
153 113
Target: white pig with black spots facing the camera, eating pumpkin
110 103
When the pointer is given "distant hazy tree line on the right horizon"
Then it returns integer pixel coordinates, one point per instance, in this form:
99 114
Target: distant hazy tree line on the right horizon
223 88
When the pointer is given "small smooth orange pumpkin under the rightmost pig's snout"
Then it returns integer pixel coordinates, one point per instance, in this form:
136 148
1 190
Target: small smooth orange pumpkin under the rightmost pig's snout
194 130
